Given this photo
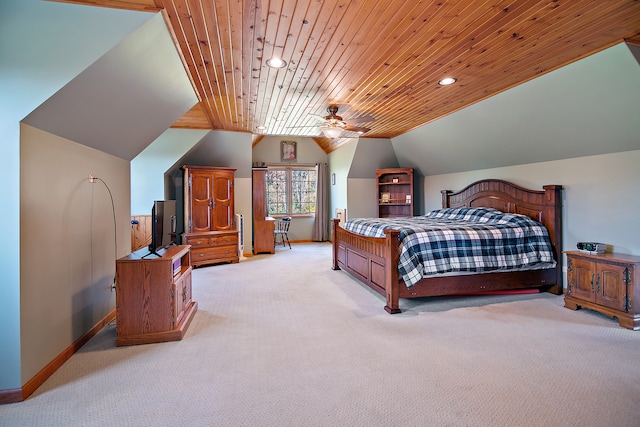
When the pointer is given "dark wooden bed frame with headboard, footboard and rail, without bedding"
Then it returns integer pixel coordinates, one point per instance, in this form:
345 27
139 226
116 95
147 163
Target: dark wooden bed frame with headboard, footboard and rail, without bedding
374 260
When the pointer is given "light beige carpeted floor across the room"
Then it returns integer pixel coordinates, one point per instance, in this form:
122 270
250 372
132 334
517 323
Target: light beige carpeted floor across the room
283 340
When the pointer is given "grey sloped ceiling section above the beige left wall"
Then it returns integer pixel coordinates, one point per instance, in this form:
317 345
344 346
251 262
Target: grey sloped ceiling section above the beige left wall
126 99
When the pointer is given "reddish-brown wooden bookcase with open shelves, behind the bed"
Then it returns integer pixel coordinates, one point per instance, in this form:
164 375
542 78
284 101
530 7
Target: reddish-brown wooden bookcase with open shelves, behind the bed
395 192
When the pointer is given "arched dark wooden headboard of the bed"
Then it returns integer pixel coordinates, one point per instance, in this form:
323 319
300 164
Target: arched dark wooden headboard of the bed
544 206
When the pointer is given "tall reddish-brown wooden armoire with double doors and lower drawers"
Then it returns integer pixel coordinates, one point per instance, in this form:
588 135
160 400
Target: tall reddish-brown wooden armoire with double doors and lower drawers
209 216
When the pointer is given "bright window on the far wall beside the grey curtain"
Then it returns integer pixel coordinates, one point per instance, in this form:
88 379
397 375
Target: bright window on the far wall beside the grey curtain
291 190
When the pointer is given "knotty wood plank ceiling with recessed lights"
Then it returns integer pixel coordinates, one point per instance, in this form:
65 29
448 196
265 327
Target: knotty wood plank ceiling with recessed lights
378 58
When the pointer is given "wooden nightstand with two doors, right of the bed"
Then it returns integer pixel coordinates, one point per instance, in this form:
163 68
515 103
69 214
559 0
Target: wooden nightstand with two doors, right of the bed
605 283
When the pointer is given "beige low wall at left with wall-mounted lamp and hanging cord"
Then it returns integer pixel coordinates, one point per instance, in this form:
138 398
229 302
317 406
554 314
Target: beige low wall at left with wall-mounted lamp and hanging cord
68 242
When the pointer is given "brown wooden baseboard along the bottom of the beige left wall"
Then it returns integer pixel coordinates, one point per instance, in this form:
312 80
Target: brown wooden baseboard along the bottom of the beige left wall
21 394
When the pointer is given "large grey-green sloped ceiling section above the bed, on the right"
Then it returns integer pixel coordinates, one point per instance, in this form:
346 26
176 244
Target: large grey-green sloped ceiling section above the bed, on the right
587 108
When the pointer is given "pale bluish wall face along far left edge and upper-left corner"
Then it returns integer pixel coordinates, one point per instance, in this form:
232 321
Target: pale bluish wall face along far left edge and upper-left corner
43 45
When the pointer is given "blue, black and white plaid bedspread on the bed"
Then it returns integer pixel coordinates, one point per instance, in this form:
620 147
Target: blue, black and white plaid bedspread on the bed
462 240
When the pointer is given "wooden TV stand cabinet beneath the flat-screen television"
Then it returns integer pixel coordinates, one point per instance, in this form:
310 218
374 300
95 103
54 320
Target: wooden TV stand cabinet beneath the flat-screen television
153 296
